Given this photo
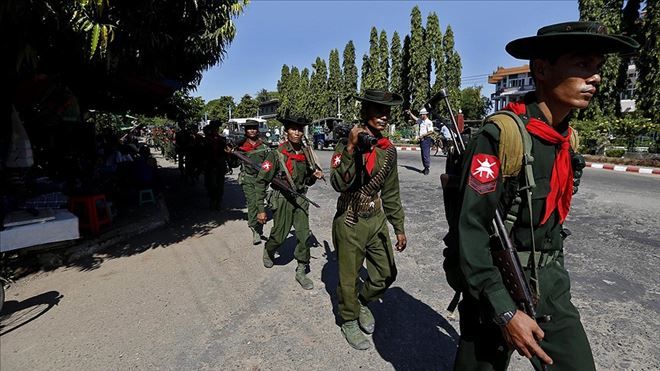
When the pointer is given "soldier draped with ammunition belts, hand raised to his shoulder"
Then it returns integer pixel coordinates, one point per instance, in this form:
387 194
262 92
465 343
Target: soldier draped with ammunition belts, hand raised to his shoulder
364 171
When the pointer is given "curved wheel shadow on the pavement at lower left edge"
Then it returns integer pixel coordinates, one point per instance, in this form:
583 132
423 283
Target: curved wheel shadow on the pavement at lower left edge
16 314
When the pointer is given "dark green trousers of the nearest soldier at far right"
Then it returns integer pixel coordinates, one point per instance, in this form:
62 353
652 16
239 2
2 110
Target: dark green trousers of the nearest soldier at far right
482 346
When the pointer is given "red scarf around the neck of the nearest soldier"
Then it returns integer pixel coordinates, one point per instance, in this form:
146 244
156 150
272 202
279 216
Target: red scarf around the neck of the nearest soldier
561 182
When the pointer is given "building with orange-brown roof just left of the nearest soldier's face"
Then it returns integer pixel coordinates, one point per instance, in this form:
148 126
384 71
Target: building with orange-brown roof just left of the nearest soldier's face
511 84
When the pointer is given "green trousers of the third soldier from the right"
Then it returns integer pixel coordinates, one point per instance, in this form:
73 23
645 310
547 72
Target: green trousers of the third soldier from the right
289 212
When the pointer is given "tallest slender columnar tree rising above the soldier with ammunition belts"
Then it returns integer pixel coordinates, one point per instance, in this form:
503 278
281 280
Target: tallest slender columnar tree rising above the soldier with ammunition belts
419 61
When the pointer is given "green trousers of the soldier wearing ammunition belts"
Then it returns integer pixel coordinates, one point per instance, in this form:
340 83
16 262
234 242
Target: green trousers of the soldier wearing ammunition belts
368 239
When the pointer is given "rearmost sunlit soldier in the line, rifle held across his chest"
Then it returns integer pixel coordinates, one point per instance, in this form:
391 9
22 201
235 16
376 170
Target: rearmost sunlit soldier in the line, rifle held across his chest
254 148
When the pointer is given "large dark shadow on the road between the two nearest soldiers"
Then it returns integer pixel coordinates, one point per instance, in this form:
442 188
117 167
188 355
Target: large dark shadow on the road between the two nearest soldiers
411 335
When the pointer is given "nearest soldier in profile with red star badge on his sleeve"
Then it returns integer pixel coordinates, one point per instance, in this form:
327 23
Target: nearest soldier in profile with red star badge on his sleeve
565 60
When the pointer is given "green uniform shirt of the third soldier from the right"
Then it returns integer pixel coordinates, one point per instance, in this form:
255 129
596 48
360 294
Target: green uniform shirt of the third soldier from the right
272 166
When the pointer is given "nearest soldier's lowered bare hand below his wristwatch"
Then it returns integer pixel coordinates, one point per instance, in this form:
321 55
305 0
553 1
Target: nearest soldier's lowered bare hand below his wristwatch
523 334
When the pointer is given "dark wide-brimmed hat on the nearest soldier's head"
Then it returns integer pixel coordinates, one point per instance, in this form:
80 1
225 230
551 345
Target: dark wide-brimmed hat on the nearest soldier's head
570 36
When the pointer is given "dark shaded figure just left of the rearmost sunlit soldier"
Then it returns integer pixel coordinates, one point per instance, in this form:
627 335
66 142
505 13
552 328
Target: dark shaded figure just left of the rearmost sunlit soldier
215 164
